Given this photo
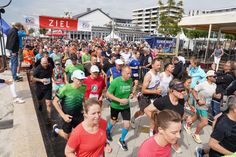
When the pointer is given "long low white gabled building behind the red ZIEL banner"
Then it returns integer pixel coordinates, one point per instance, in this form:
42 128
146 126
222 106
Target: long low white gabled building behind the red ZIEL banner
103 24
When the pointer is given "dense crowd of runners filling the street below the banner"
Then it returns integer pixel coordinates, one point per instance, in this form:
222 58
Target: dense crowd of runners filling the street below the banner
76 76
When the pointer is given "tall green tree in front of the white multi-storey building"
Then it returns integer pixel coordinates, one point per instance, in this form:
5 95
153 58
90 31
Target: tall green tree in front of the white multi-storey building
168 25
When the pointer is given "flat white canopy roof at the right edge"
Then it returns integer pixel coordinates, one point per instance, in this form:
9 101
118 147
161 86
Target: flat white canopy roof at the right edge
225 21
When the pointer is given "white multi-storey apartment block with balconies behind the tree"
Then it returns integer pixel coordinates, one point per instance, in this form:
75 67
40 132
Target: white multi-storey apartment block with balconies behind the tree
148 18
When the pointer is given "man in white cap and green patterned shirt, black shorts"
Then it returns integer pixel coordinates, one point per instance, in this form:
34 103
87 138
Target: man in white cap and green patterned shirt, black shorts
70 98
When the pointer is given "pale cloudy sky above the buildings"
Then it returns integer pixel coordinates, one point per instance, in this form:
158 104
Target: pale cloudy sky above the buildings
115 8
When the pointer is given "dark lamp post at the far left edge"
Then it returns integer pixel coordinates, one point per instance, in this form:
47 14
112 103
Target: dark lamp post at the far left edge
2 41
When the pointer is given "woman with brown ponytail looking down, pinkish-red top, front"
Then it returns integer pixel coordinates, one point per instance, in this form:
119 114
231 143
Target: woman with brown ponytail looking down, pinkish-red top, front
168 125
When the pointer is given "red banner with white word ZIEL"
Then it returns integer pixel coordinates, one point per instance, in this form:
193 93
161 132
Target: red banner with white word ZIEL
58 23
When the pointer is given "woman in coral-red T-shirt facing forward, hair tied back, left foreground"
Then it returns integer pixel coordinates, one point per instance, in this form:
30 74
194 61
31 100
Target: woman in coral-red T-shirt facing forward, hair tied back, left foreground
82 140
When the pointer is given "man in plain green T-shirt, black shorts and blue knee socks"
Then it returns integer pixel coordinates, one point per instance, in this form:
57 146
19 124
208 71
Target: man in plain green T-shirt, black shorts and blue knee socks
119 92
